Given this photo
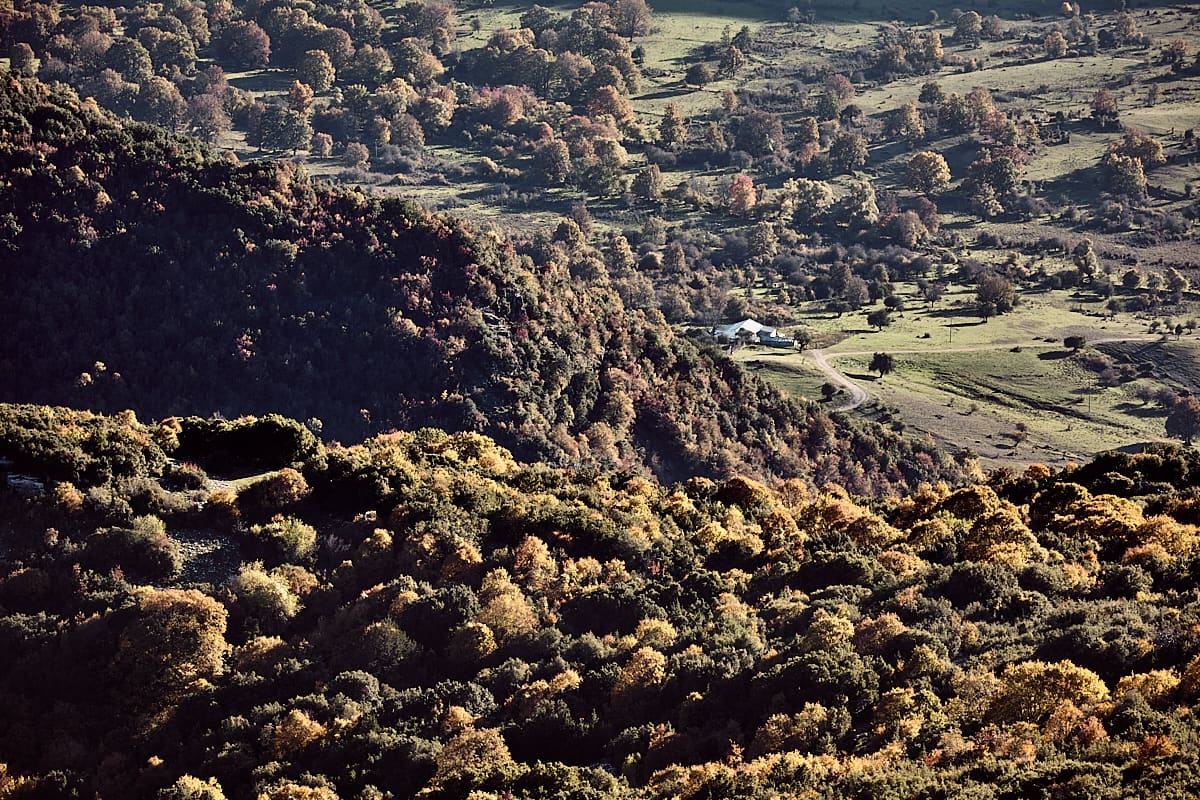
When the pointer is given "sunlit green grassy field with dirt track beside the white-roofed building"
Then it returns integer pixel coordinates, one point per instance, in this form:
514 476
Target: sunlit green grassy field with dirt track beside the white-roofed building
975 389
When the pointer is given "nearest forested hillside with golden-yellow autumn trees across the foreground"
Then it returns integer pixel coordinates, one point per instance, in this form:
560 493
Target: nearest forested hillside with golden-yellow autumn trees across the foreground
423 616
